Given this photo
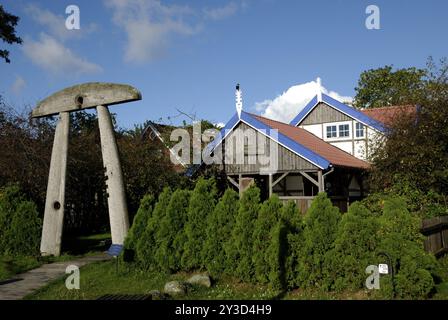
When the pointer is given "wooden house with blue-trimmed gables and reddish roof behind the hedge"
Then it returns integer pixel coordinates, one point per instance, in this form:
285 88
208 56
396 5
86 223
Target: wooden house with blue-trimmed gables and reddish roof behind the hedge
307 157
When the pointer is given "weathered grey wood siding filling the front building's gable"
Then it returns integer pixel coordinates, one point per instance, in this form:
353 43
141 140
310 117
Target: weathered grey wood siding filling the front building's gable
286 160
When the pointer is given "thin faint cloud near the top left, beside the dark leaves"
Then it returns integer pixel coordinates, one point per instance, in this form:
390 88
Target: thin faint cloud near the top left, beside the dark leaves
55 24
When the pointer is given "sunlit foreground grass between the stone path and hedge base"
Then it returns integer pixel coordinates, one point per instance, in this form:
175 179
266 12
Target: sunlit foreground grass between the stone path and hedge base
101 278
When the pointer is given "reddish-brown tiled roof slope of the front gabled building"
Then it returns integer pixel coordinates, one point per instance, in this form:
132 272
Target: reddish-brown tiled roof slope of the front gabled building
333 154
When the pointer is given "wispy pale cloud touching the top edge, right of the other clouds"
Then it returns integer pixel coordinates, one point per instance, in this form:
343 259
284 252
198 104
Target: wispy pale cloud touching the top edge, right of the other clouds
148 25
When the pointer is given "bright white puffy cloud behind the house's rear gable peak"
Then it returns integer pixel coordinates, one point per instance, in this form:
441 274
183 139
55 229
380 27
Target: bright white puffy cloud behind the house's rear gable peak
287 105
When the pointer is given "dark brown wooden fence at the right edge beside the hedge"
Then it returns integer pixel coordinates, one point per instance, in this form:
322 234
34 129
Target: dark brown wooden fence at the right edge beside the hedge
436 232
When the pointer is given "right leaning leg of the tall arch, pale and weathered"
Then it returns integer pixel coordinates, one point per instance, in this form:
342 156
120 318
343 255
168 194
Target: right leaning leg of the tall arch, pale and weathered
118 211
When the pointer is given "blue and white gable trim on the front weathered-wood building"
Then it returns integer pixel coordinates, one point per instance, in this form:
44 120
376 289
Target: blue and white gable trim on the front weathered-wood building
292 145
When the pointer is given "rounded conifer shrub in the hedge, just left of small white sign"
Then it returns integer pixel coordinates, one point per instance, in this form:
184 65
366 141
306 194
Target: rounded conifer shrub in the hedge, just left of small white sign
355 248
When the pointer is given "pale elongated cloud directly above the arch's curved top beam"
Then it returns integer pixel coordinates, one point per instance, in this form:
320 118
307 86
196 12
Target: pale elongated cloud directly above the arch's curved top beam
53 56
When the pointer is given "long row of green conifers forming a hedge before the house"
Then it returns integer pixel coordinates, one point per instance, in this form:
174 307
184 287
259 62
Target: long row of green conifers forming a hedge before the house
272 243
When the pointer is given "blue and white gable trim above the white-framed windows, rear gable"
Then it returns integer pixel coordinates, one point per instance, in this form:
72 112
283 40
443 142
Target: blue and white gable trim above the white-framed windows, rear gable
351 112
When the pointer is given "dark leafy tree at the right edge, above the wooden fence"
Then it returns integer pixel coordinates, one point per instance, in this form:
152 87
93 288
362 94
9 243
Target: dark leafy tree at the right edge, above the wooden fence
414 157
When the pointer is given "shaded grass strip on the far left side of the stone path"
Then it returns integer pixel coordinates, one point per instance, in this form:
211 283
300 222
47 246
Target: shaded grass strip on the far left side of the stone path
74 247
